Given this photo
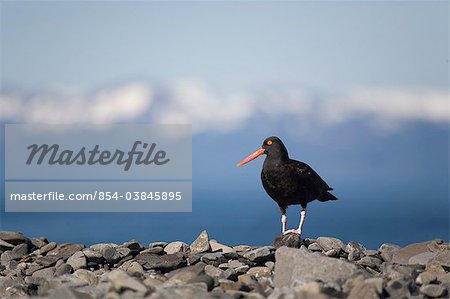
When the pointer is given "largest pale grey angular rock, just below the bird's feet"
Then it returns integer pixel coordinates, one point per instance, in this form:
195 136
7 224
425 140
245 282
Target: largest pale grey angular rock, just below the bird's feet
300 265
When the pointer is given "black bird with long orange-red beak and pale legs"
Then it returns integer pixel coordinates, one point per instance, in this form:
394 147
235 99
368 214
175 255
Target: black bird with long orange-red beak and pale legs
289 182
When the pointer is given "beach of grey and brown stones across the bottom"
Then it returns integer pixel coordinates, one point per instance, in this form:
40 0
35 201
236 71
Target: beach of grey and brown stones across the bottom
289 268
